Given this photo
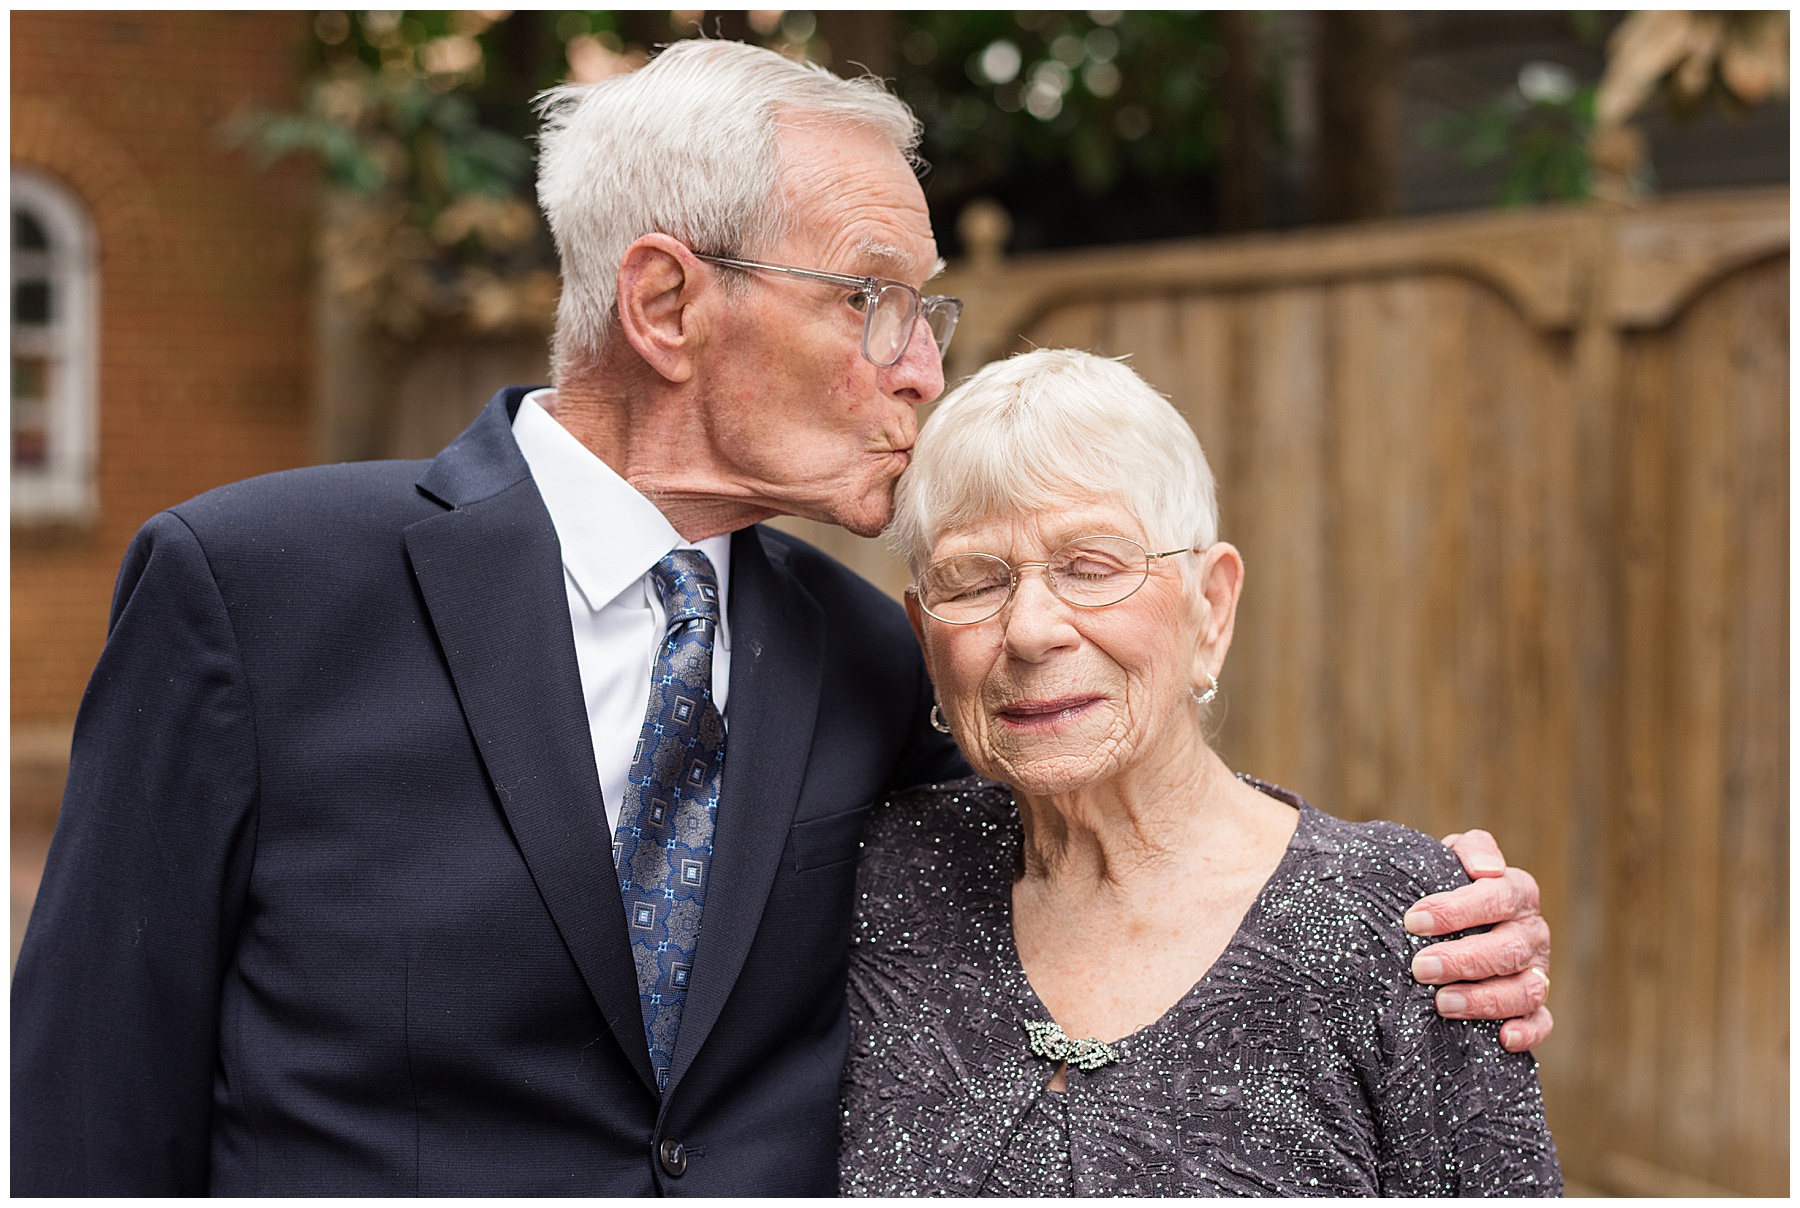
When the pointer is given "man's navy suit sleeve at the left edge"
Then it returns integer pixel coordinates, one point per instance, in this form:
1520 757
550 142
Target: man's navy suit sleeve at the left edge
116 1000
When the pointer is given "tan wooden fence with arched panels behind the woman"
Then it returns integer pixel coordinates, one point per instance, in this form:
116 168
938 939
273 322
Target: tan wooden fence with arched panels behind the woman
1513 498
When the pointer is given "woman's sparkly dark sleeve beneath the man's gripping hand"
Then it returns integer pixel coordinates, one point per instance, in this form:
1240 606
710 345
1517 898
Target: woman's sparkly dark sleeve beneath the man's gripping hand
1457 1115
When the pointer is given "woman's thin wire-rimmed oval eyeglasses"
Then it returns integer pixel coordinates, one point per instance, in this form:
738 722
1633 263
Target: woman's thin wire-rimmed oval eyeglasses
1088 573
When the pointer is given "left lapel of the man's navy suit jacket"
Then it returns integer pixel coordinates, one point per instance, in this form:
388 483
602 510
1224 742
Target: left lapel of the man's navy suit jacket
492 579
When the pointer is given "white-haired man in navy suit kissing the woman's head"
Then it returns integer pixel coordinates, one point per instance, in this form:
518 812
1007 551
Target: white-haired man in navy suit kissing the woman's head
487 825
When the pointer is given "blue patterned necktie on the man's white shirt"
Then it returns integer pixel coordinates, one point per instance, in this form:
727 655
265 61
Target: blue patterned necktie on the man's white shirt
665 843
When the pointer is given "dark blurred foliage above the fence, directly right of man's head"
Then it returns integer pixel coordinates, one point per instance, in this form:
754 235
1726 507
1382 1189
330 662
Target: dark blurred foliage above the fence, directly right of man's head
1111 129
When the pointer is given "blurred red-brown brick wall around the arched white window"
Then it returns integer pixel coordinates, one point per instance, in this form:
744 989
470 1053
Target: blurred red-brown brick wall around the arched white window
202 300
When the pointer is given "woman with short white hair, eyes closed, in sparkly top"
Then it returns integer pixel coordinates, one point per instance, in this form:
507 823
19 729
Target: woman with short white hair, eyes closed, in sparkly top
1108 964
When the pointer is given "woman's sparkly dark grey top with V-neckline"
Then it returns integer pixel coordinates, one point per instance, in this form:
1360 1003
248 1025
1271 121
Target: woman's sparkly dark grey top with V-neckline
1304 1063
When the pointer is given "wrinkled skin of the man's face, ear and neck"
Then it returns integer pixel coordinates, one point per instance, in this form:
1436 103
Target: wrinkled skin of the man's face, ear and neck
732 397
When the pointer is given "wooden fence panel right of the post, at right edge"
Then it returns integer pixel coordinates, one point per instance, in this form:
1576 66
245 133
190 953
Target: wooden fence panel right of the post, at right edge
1705 1043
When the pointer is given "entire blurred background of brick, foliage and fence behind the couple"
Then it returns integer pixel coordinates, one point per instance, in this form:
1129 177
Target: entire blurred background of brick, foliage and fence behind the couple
1482 320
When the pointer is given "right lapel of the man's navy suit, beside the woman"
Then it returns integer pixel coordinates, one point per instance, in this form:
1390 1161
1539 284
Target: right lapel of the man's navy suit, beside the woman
777 669
